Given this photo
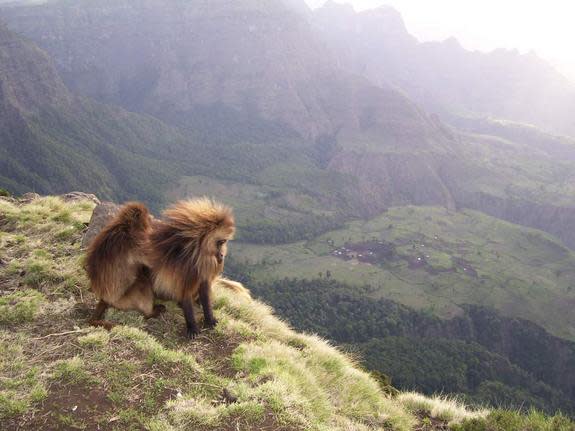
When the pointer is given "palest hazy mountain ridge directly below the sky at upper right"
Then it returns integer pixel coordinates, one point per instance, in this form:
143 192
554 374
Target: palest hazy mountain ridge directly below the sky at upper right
443 76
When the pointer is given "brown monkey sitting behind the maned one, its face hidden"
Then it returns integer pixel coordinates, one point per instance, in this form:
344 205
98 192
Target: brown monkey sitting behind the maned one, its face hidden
116 264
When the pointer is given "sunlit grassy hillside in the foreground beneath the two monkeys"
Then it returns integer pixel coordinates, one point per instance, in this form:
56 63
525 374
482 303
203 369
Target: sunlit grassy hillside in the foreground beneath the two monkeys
252 372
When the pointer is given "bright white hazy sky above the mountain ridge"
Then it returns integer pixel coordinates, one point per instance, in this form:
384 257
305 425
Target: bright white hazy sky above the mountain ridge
546 26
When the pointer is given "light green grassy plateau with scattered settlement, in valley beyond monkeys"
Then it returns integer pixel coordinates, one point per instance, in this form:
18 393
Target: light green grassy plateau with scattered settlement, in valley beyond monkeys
467 258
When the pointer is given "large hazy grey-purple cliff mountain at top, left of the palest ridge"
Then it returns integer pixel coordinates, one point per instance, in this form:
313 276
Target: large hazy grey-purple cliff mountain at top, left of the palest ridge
175 60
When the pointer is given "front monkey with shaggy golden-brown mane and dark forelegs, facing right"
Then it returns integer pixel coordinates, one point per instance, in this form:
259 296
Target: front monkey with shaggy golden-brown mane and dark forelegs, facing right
187 251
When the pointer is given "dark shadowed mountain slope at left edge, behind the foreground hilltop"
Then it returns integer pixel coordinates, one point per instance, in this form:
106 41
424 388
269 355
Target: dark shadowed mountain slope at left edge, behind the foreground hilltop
54 141
